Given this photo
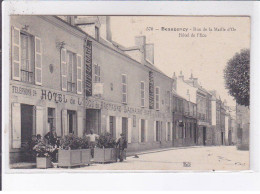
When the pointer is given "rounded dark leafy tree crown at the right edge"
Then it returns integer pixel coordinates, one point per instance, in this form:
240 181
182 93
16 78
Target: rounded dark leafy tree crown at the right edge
237 77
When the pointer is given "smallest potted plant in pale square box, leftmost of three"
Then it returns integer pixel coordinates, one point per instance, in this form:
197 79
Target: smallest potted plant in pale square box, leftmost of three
43 154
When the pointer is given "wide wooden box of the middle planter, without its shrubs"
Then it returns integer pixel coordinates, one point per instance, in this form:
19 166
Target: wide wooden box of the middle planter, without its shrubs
69 158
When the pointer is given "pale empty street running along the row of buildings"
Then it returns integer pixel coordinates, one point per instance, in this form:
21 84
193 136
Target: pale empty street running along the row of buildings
196 158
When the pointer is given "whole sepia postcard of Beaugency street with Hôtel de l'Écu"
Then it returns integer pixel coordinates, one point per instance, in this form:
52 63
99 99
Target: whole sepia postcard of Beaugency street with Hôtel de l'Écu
129 93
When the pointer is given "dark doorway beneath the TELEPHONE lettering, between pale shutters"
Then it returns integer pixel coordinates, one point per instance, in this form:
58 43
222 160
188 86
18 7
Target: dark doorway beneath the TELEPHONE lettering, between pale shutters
27 117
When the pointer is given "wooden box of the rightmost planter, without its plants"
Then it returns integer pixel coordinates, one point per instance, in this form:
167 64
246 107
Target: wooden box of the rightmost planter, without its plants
103 155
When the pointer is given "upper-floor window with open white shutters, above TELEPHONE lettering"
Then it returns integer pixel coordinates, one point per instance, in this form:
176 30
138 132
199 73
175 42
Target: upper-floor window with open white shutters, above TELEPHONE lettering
26 57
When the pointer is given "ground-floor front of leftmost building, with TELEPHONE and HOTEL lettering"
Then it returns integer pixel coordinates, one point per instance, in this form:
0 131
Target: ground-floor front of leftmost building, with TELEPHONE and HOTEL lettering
35 111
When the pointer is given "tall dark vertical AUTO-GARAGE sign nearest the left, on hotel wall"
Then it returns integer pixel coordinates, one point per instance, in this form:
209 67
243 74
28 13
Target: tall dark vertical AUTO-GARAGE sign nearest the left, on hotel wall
88 82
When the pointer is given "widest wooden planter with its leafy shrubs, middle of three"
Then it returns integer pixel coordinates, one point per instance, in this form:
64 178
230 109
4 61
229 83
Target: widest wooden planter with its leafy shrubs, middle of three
74 151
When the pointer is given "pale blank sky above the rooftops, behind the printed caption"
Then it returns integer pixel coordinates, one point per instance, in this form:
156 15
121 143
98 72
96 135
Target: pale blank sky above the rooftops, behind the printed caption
205 55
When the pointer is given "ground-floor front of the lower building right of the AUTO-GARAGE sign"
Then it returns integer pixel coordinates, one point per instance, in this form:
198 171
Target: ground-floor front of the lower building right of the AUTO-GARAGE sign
144 128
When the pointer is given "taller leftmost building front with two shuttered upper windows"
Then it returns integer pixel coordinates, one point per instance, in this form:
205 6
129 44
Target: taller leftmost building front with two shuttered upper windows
46 90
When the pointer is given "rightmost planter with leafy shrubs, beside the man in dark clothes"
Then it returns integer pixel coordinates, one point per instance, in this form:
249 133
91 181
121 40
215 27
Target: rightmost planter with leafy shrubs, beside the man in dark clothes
106 149
